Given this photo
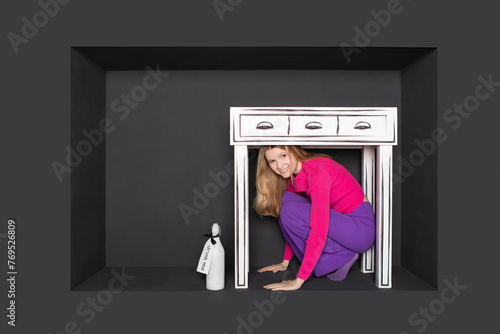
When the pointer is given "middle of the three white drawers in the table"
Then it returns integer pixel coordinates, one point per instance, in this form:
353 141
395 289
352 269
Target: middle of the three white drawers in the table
311 126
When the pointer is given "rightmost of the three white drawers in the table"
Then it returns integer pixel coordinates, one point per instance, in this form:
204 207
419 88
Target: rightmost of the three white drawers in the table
370 126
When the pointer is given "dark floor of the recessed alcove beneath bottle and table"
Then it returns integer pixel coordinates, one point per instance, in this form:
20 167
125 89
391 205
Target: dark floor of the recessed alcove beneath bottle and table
187 279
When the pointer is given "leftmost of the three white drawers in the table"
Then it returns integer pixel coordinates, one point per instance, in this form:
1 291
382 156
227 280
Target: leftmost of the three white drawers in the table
263 126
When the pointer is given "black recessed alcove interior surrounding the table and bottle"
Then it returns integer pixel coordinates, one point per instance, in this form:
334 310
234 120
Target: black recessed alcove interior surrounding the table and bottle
173 145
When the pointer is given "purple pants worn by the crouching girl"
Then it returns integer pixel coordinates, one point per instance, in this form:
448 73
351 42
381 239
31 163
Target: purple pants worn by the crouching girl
348 234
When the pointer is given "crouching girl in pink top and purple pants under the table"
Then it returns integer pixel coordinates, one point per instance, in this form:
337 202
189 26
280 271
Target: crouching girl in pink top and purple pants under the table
323 213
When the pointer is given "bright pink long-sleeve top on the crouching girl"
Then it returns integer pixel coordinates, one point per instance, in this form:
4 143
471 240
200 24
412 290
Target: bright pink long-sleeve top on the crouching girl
328 185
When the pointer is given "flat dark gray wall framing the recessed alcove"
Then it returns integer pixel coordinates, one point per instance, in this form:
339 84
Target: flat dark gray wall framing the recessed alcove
36 129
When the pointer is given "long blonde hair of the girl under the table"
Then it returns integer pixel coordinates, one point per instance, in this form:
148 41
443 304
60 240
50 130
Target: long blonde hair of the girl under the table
270 186
